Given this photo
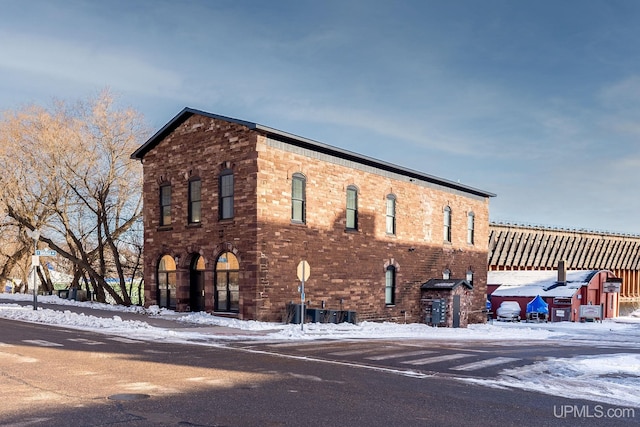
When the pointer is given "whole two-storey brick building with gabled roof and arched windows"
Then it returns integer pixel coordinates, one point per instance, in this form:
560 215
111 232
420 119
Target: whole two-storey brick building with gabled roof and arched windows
231 208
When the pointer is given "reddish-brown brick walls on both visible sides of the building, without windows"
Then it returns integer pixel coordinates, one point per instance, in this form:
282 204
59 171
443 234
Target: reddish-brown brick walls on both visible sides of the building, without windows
347 267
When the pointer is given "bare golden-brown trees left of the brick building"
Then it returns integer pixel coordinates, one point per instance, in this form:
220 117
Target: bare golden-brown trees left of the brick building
68 174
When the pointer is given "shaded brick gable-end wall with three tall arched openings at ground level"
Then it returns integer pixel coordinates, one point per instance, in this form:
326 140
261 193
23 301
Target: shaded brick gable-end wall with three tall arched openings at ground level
201 147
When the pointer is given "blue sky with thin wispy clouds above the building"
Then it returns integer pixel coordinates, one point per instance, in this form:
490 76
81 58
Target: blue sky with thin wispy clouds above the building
536 101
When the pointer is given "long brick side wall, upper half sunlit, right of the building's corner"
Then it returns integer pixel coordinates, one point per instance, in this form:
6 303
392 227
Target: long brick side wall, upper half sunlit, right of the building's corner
348 268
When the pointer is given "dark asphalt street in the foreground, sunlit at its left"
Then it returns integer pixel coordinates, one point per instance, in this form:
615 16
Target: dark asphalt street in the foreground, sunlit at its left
59 377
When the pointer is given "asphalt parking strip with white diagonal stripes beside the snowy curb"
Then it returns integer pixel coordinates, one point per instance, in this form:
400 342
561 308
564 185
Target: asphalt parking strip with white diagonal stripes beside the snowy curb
463 359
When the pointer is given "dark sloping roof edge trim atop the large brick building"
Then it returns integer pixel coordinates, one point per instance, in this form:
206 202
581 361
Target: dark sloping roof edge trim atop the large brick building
304 143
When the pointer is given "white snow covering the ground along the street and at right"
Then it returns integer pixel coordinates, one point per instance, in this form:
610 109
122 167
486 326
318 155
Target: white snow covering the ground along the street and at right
612 378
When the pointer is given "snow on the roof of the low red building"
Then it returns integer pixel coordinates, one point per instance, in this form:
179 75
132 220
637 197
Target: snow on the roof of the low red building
529 283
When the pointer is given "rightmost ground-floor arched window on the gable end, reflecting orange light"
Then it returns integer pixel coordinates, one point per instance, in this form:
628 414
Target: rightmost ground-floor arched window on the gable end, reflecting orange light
227 283
